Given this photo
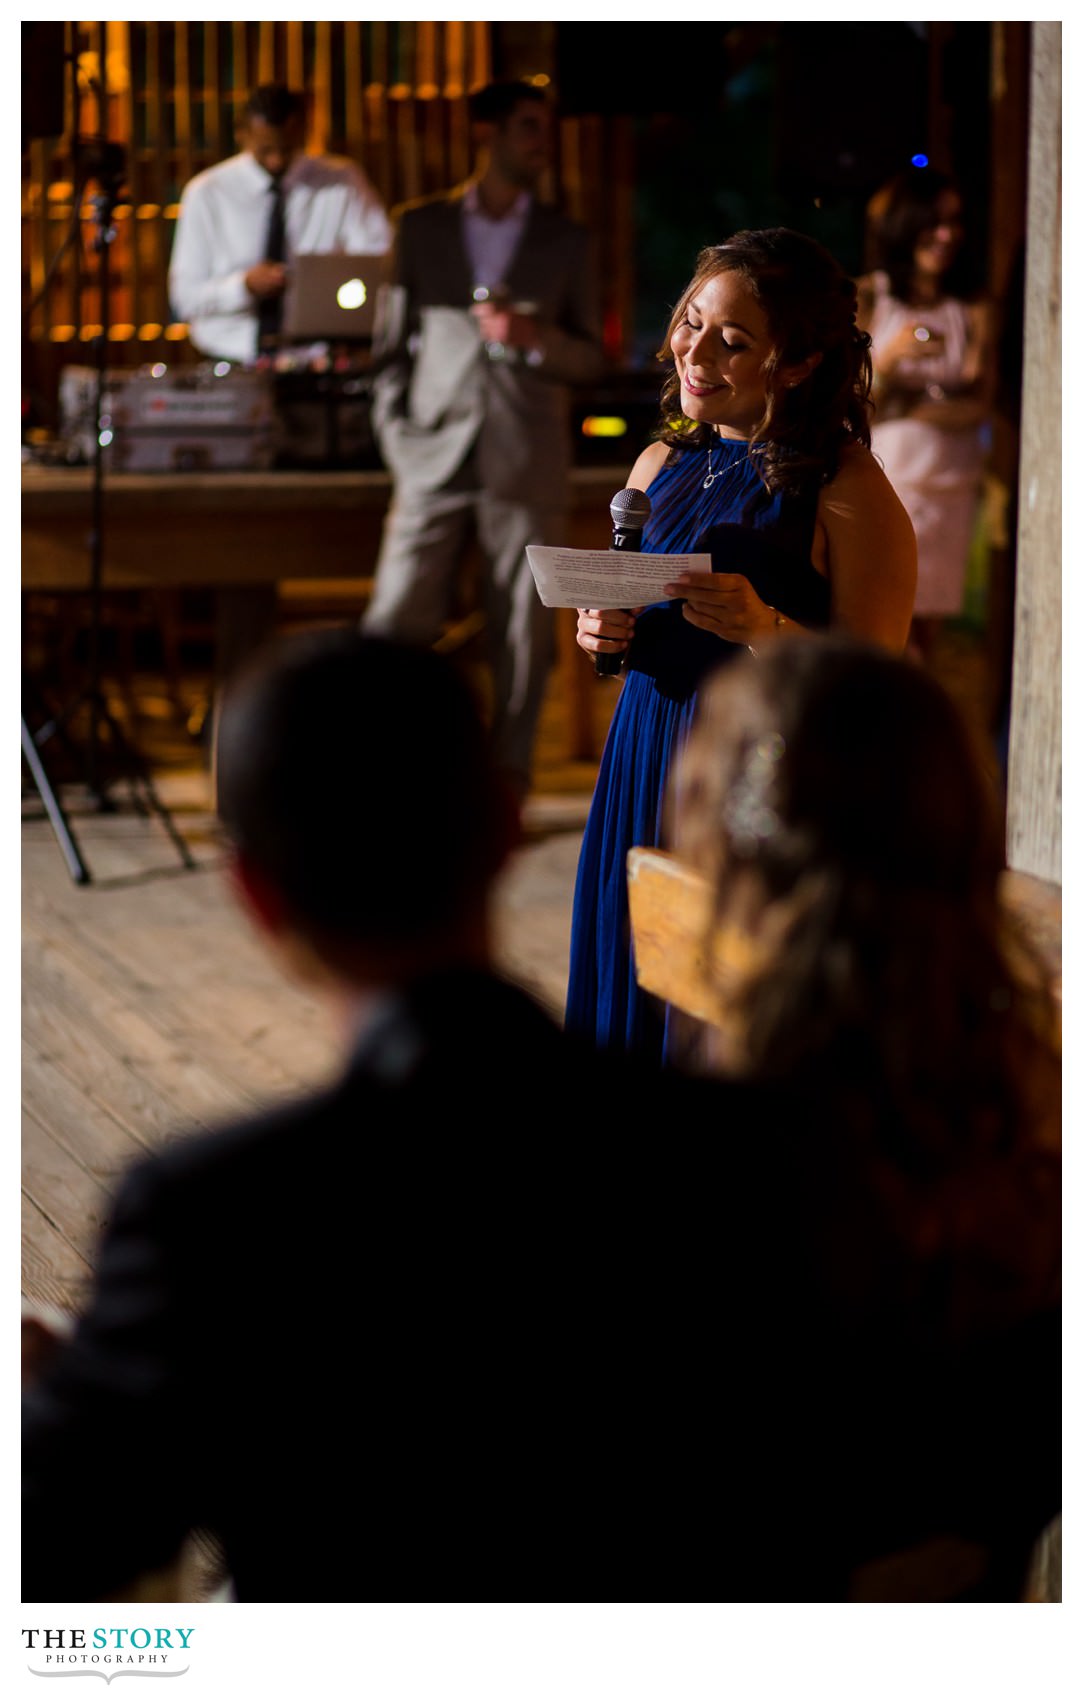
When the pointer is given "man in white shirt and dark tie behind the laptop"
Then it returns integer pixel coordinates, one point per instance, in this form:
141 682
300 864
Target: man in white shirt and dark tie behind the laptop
229 271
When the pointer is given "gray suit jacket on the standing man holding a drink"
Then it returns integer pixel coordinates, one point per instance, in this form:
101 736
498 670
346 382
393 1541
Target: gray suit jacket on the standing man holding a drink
439 394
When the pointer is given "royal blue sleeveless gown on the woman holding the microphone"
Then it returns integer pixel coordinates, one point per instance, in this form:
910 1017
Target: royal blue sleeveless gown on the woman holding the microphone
749 531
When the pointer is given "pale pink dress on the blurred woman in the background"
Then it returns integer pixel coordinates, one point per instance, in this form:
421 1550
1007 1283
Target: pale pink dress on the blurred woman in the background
936 473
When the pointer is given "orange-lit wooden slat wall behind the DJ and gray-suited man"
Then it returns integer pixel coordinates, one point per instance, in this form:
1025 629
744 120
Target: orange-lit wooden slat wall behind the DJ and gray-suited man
392 94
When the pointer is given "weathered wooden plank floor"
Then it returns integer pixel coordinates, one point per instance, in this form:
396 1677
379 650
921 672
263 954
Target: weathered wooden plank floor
152 1009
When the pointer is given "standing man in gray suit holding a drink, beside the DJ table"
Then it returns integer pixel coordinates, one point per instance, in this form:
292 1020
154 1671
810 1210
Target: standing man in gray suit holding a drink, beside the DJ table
492 310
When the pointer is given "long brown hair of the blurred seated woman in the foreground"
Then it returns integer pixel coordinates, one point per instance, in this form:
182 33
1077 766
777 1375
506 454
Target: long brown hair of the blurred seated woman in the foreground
853 846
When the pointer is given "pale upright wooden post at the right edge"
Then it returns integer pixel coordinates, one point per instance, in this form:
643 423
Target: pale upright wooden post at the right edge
1035 752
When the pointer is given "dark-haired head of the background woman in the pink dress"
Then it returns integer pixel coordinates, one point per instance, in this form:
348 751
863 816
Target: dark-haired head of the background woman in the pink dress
916 235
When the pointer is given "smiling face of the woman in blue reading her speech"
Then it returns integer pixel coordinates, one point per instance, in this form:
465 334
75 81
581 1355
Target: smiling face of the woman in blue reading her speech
720 348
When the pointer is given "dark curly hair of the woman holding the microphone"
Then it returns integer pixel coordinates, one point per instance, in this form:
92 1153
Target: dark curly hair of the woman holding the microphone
810 310
